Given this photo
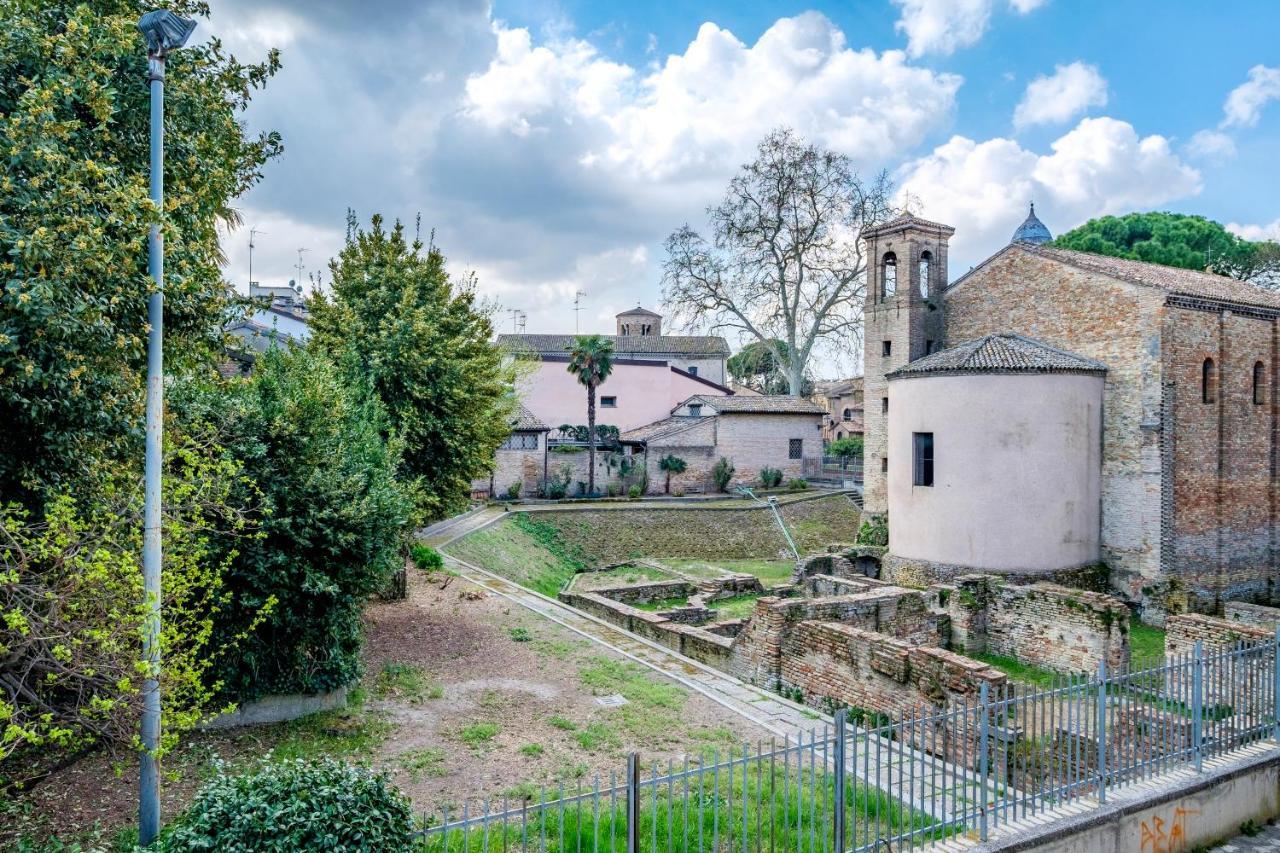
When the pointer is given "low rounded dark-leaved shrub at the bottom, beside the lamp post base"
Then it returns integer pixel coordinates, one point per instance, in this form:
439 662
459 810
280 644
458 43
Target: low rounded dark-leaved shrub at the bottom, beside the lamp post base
295 806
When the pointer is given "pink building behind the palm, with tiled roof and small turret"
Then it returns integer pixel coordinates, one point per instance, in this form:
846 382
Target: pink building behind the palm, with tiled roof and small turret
652 375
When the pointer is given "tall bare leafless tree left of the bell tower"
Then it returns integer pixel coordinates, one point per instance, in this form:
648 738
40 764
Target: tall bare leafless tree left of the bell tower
785 263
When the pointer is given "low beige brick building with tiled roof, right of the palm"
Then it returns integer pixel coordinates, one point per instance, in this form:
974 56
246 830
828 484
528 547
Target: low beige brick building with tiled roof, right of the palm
753 434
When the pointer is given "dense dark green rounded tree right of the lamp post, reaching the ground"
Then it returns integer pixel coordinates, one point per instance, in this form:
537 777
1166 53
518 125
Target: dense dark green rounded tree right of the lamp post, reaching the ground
328 509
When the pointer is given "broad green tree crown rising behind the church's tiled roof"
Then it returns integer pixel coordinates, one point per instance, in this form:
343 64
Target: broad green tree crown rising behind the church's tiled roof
1178 240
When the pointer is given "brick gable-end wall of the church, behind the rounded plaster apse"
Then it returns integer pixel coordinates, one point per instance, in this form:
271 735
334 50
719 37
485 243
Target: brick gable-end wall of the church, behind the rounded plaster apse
1118 325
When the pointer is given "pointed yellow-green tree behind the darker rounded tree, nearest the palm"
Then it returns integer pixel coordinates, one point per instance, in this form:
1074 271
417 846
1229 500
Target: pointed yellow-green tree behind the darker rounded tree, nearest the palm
397 321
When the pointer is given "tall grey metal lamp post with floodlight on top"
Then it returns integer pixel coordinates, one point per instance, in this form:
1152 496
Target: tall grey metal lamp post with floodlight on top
164 31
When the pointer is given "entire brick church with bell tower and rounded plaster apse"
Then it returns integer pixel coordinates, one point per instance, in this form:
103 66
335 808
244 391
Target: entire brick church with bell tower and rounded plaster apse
1052 412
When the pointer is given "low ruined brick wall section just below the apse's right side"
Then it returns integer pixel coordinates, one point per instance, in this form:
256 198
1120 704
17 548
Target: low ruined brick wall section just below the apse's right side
1046 626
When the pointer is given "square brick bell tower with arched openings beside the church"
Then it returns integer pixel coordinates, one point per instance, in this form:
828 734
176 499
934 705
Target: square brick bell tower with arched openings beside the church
903 321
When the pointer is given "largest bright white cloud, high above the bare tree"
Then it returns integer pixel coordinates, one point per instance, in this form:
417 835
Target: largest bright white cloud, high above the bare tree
703 111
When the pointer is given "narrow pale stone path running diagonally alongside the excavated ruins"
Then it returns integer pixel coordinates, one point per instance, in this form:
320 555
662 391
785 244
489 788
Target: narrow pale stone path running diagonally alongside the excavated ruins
930 784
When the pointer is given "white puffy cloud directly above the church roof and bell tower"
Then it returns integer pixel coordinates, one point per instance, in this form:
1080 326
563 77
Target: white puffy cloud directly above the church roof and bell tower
1100 167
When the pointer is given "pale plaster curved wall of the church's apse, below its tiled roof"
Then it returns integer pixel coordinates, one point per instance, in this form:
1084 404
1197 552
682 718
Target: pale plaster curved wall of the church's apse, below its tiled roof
1017 471
